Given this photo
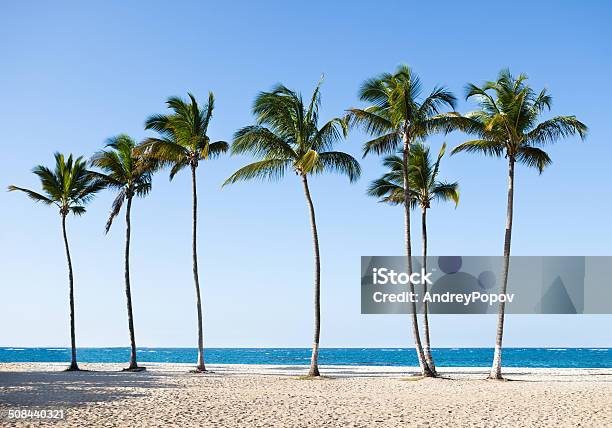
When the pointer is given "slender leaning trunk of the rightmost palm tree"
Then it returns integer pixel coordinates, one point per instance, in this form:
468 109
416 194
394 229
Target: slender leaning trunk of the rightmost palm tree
496 368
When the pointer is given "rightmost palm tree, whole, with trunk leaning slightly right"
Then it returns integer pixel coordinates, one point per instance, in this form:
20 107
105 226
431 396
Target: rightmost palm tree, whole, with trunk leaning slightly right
506 124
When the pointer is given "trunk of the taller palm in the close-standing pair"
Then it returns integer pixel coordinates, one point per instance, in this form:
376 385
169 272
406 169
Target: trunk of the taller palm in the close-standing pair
425 370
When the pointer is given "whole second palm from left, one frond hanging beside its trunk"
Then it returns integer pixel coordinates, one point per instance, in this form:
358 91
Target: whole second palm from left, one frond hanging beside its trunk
129 174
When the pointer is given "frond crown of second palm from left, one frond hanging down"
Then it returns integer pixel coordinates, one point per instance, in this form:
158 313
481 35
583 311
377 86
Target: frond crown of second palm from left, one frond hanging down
125 170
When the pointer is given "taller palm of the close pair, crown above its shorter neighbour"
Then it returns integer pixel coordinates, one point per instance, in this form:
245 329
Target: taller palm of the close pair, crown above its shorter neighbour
399 117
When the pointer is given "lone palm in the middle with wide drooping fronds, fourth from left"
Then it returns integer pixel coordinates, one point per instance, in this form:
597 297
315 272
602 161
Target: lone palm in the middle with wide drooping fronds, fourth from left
286 136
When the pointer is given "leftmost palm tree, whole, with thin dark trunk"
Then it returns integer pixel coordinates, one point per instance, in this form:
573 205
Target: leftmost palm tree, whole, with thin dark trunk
69 187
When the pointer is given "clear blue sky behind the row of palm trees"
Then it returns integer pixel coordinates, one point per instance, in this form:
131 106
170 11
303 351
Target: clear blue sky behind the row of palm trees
73 74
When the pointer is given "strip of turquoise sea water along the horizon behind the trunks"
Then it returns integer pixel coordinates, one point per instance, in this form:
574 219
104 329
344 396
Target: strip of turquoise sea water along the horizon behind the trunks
449 357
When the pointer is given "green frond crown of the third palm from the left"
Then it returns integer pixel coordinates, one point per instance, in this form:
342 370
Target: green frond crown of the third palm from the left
183 138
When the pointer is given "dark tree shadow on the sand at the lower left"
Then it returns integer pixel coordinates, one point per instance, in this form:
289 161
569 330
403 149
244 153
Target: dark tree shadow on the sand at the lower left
58 389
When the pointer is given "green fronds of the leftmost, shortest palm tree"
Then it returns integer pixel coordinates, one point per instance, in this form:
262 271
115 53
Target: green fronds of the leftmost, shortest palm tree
70 186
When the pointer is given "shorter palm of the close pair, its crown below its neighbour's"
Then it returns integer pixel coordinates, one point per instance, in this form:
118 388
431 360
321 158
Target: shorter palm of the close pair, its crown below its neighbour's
424 188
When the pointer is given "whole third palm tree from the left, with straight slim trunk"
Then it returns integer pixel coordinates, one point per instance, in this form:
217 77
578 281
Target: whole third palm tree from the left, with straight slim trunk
183 142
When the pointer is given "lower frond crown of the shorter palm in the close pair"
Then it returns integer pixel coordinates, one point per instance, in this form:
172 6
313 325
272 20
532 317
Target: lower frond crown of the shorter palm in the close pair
423 179
